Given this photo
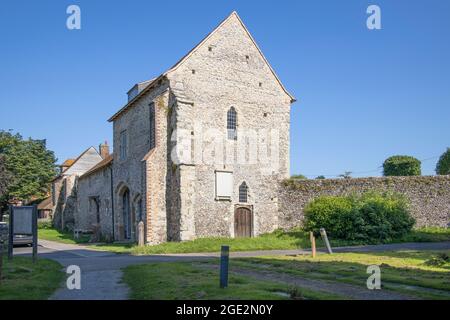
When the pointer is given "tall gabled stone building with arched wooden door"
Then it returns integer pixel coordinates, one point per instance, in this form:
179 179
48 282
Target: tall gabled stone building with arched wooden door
226 85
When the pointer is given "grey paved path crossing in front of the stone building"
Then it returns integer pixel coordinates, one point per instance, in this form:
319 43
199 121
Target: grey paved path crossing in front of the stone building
101 271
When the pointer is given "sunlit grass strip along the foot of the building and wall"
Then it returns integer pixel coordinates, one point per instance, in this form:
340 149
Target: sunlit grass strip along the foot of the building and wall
276 240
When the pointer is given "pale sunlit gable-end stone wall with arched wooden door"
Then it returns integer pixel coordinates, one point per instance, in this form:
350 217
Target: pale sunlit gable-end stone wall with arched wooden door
229 71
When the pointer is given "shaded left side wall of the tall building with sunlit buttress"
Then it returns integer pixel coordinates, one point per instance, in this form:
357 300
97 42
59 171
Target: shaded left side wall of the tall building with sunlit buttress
143 171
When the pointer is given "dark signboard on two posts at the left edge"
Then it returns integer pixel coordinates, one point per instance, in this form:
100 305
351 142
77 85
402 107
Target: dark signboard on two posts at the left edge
22 221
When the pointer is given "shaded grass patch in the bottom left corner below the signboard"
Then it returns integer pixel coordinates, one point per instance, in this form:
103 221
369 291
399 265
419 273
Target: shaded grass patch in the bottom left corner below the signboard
23 280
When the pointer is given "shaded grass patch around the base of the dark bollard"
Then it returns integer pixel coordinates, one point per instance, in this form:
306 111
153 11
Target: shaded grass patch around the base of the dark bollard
183 280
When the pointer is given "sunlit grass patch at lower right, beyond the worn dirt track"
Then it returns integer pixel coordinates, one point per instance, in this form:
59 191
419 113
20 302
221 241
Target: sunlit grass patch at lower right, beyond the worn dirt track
422 274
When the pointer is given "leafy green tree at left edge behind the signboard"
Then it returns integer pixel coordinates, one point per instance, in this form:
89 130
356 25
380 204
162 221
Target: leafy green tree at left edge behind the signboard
29 164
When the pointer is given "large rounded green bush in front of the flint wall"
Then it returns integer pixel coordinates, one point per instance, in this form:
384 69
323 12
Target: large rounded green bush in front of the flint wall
371 217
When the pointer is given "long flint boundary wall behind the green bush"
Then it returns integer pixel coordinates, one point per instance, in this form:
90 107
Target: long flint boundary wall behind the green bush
429 196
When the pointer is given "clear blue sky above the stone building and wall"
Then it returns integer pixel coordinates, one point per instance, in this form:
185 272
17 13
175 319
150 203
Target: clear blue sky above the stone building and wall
363 95
